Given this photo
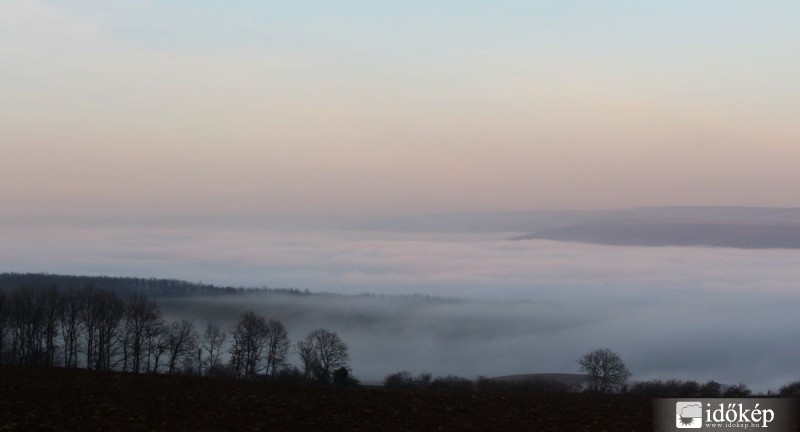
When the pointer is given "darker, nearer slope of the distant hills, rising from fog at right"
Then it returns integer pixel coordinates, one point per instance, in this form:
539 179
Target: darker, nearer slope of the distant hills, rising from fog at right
784 236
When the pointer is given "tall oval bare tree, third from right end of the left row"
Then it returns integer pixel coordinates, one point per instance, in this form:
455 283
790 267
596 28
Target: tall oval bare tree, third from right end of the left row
249 340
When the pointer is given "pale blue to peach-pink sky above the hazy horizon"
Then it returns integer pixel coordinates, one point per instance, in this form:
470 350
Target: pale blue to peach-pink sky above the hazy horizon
287 108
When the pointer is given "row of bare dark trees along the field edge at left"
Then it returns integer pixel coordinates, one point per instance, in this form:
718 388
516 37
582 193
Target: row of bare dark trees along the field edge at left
97 329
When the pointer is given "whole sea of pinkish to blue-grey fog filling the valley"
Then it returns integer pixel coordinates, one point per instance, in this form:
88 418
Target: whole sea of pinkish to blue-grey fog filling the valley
528 306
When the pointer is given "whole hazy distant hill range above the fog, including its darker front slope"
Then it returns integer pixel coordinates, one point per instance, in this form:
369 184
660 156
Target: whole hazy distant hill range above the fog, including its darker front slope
734 227
